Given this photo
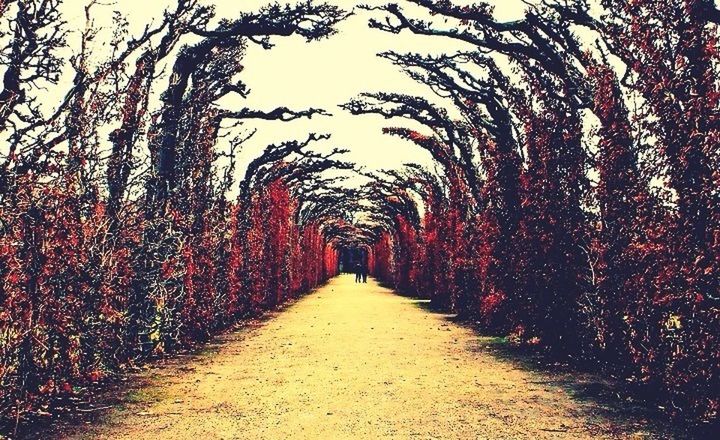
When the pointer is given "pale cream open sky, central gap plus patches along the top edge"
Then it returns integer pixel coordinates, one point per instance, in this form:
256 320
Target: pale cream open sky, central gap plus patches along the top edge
321 74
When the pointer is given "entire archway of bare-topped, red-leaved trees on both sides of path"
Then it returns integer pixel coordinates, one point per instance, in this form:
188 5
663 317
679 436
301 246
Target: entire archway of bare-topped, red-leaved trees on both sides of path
571 199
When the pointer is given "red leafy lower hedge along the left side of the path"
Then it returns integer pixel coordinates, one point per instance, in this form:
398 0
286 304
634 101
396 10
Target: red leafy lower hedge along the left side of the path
67 285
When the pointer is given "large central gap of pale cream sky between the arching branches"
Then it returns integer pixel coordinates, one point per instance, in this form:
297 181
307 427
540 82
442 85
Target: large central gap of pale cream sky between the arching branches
330 72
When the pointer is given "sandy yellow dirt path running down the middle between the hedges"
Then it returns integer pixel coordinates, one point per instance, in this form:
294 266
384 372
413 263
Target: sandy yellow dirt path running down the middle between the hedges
361 363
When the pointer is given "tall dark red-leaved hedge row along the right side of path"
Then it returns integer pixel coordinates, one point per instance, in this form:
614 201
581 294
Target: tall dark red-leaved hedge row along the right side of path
626 271
